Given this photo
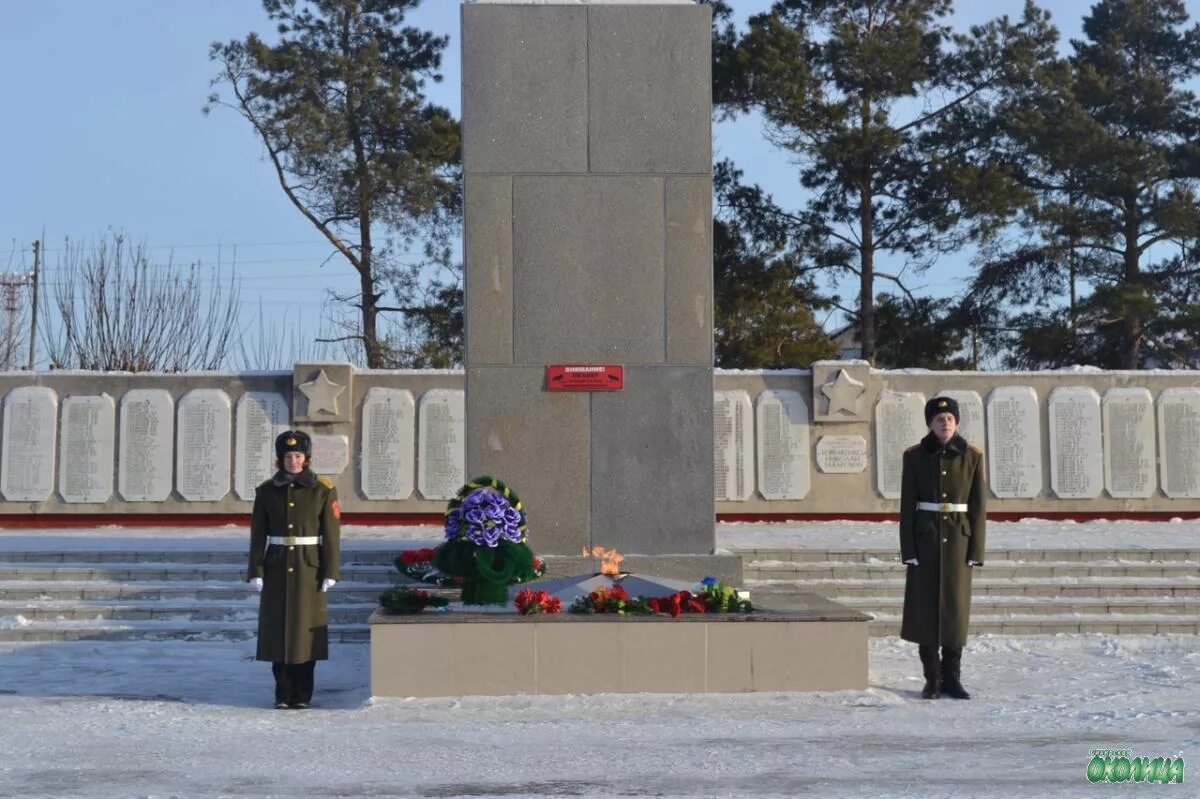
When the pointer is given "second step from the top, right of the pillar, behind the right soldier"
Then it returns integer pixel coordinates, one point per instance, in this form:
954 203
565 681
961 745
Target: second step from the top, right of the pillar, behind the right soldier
993 570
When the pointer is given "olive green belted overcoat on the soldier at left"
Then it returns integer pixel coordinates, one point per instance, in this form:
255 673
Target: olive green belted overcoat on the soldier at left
293 616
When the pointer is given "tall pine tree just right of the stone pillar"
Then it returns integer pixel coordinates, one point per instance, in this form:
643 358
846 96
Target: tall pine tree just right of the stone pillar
873 98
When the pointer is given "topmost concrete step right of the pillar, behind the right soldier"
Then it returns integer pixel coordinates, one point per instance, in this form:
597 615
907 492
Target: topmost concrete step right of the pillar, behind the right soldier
1168 555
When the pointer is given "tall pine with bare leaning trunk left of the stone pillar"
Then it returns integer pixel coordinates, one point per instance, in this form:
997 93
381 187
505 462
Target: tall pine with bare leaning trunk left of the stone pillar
340 110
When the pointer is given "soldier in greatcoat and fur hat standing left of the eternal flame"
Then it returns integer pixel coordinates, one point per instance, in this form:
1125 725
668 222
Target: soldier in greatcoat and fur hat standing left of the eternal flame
295 561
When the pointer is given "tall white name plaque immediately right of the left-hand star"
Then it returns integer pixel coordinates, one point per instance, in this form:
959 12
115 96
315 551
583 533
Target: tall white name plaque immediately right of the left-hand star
389 417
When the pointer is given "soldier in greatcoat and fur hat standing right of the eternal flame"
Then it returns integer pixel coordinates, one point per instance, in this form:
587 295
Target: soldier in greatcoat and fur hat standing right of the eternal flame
943 524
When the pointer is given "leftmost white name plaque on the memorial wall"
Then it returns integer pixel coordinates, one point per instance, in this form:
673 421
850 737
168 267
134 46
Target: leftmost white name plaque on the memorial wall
27 459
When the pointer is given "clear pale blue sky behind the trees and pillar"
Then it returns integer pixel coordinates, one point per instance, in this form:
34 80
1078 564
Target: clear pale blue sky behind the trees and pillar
103 129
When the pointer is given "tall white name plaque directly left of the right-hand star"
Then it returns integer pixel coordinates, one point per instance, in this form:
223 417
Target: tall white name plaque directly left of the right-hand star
782 428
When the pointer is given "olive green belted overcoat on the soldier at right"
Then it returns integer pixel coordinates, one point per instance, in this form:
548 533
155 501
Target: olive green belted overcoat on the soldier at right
938 590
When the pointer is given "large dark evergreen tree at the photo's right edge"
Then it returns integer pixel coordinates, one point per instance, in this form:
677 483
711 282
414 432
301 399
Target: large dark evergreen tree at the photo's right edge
1107 145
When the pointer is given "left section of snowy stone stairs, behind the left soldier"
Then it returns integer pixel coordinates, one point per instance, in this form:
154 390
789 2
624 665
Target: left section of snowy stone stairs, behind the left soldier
148 596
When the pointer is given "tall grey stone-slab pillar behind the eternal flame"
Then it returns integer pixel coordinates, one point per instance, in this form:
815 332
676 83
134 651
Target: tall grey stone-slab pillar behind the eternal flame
587 149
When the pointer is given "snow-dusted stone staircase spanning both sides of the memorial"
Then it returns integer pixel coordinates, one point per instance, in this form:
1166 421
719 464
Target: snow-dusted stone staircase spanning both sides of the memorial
202 596
